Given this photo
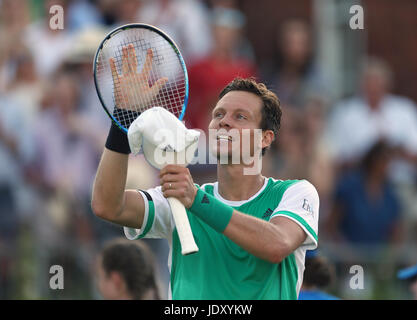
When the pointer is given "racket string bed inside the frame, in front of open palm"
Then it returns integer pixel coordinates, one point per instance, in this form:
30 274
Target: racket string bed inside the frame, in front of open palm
128 92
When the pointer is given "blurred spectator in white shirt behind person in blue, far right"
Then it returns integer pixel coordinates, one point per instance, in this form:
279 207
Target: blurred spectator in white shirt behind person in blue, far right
375 114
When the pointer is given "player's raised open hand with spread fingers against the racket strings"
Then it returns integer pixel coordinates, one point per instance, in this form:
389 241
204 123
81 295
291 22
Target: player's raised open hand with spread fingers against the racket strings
131 89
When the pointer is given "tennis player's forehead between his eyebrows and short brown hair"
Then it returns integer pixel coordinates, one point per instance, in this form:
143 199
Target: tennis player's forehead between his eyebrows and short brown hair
241 100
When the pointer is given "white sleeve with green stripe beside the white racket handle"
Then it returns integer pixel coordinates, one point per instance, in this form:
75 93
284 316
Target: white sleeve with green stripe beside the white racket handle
157 220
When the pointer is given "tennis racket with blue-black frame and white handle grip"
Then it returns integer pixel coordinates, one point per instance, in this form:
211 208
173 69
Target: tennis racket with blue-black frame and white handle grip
138 67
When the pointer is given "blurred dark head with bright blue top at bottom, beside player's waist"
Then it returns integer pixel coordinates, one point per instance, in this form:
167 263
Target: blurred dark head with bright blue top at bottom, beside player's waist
318 275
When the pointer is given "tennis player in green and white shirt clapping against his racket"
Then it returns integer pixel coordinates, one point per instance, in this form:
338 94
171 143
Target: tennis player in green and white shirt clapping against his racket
252 231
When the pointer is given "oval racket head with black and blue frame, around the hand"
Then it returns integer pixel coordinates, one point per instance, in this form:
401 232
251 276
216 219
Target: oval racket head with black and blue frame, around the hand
167 62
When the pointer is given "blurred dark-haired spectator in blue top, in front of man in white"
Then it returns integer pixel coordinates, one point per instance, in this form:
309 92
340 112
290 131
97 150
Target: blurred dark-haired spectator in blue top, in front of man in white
366 212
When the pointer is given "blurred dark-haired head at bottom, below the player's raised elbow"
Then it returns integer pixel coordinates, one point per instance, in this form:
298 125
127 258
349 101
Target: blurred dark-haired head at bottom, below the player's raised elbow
127 271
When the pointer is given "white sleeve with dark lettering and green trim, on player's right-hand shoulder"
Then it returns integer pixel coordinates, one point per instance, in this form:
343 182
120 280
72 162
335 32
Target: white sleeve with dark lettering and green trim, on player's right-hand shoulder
300 203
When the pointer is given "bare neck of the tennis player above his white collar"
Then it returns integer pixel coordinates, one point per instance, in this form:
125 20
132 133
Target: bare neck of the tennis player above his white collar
234 185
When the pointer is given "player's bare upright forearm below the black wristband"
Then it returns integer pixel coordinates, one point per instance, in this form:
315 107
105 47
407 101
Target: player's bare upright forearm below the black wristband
109 184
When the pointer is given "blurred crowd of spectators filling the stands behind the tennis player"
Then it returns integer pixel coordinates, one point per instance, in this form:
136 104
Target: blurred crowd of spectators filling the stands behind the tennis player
360 152
